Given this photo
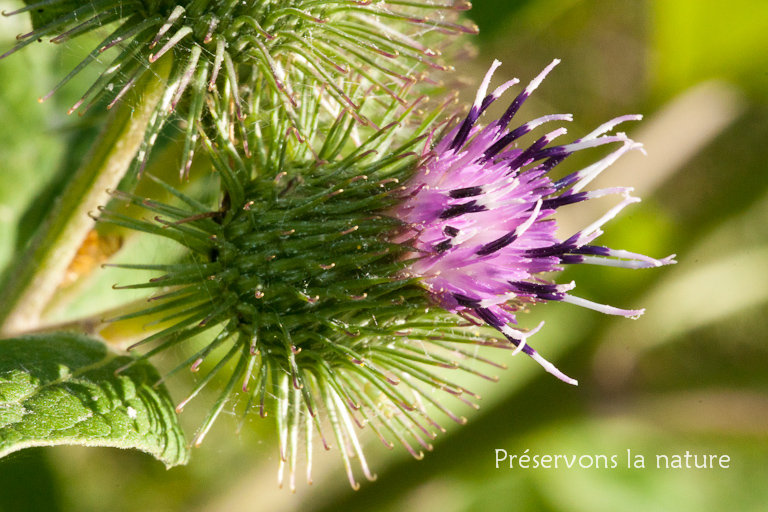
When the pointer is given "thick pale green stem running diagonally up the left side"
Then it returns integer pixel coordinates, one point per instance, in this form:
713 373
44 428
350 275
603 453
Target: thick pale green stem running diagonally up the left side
37 272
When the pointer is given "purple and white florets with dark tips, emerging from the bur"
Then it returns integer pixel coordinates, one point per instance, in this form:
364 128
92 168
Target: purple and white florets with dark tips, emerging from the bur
480 213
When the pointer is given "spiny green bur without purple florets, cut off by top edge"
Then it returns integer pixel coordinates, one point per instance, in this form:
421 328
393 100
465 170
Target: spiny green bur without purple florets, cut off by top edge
233 46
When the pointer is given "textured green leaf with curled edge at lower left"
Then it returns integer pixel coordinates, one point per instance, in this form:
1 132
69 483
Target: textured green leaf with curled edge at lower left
61 388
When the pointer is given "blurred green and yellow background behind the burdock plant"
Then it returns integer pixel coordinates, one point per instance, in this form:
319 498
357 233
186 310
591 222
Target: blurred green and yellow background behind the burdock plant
690 375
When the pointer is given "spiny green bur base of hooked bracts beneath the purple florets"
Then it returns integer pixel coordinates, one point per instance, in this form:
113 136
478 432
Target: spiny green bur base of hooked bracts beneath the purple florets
297 276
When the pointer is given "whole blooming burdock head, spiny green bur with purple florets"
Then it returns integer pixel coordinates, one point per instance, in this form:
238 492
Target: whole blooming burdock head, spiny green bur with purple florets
319 272
